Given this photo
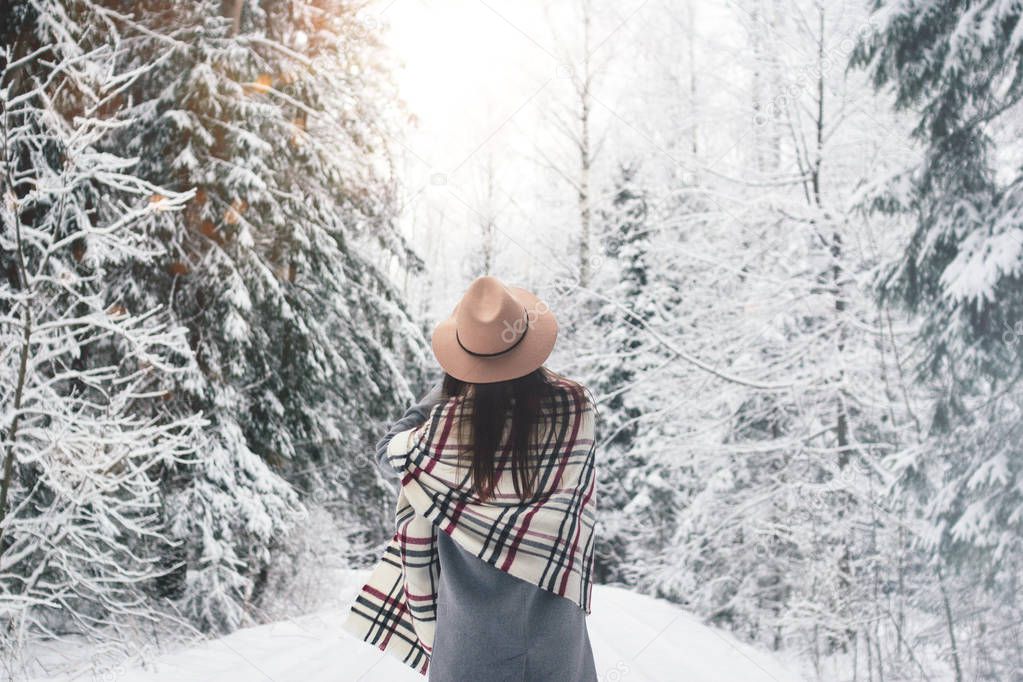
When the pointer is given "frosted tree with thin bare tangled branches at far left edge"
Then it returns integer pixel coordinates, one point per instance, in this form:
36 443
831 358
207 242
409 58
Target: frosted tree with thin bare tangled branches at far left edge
85 428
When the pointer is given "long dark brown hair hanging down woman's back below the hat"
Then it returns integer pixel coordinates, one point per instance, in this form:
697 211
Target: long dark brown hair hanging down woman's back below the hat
487 419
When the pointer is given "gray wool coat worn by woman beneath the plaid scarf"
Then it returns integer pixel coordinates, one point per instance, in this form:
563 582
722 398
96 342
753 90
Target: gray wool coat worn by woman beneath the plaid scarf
491 625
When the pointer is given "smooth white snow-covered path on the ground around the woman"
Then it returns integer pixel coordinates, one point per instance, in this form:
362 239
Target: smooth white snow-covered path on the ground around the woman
636 639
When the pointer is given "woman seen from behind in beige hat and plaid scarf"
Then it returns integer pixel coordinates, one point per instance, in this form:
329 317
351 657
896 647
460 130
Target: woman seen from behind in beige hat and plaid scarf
500 459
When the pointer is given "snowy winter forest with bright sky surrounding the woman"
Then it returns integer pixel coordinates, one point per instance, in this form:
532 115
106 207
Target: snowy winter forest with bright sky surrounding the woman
784 241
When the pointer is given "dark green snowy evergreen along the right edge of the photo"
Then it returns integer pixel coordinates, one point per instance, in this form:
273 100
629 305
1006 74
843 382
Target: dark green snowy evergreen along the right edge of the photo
959 68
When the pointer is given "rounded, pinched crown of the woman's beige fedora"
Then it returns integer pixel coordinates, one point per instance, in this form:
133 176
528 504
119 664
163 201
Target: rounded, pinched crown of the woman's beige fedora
490 320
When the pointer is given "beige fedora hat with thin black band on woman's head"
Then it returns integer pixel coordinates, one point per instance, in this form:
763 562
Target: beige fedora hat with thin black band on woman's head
496 334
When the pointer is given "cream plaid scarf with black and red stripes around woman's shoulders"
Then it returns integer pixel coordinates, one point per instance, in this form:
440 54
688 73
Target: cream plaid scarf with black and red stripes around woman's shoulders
547 540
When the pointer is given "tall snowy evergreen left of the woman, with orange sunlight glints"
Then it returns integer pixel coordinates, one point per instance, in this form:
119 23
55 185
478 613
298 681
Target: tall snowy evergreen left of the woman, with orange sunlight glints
275 115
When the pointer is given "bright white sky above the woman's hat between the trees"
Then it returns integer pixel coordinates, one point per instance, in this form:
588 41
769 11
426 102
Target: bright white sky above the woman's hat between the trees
481 78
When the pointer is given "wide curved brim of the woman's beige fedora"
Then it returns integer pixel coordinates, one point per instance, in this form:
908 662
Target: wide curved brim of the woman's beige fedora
529 355
